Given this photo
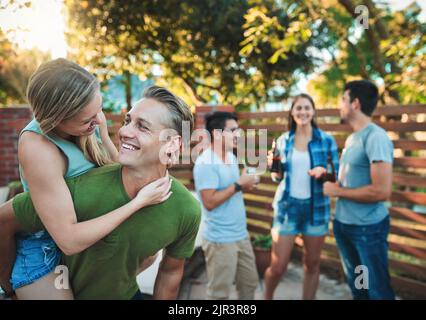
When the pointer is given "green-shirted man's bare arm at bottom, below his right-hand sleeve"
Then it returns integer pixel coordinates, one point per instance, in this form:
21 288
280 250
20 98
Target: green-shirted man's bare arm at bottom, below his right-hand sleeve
168 278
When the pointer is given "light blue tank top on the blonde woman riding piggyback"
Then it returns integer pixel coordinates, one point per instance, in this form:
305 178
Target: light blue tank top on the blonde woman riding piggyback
77 162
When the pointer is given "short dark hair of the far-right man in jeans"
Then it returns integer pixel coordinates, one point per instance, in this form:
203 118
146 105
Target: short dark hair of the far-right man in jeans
367 94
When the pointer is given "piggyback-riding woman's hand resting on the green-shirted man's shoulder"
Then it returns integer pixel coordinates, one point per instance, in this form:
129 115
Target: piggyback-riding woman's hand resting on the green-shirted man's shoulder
155 192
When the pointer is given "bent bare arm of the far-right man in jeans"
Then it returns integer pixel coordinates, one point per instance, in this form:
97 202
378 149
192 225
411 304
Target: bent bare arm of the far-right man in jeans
380 188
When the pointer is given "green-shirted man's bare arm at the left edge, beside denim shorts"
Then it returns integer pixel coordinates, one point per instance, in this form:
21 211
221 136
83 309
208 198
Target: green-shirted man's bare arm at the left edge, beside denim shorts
8 227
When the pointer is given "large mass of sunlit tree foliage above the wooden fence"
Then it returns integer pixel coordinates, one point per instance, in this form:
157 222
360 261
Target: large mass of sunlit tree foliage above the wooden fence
238 52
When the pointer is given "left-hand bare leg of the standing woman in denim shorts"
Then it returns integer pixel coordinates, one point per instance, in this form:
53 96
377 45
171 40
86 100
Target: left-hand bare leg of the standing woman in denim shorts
280 256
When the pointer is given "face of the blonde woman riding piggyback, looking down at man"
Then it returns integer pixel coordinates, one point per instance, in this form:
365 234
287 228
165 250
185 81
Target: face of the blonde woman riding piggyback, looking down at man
84 122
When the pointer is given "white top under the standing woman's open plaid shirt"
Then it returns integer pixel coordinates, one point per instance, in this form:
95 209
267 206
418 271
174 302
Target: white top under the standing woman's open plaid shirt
300 181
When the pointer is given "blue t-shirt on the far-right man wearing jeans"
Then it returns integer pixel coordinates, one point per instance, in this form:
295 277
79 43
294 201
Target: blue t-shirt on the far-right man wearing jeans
362 148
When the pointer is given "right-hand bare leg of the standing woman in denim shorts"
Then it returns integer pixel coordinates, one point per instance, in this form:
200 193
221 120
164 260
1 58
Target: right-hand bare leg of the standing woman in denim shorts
311 261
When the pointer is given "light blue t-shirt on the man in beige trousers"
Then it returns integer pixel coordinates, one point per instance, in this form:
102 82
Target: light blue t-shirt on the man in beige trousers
227 222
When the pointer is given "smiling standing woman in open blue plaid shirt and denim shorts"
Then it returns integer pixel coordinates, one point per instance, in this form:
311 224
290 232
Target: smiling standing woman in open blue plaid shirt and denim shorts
300 205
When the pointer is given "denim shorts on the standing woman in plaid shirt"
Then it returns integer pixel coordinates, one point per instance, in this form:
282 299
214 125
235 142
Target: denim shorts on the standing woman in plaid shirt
295 218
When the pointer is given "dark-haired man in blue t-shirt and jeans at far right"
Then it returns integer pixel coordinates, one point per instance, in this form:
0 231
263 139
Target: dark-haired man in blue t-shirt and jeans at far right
361 223
